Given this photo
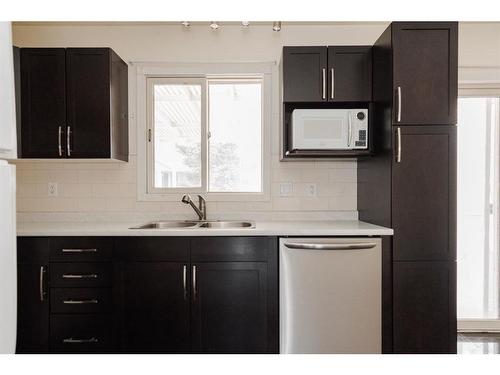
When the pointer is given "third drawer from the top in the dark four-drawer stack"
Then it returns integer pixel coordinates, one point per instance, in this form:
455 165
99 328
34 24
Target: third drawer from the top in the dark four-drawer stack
80 300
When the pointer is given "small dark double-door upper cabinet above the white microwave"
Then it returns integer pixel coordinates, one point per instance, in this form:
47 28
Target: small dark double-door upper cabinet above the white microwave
327 74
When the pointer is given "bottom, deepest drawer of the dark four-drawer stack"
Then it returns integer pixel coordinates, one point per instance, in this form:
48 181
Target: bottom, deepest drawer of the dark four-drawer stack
81 333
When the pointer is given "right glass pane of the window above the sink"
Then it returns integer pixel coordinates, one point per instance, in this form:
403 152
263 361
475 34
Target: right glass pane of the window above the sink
235 136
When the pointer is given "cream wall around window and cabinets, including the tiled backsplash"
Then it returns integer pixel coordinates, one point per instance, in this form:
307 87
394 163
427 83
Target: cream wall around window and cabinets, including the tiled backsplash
108 191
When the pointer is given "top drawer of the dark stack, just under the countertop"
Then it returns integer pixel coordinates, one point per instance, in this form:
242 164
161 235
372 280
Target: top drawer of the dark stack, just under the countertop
80 249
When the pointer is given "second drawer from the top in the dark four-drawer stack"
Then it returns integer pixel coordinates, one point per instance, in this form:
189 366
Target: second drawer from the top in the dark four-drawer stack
80 274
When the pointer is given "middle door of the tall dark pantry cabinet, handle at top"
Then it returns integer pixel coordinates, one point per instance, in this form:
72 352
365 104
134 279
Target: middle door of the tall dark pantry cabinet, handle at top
424 193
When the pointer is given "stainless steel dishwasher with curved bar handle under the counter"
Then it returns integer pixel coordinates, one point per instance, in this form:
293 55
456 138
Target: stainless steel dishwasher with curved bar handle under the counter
330 295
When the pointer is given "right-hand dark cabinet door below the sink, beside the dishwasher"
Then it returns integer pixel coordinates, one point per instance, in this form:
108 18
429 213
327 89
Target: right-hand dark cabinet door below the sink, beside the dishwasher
229 307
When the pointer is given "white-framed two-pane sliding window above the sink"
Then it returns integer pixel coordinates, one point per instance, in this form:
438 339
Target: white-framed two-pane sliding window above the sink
205 135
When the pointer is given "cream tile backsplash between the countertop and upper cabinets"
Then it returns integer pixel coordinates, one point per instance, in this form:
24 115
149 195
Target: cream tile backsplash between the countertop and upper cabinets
88 191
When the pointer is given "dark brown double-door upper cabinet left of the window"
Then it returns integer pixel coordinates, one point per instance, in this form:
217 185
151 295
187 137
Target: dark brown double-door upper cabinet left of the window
74 103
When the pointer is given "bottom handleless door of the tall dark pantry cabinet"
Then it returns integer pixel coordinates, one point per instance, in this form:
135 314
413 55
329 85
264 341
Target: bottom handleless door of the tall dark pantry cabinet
424 307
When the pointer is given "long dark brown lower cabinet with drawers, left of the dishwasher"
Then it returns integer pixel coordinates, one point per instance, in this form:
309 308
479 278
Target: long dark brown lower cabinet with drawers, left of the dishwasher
148 295
